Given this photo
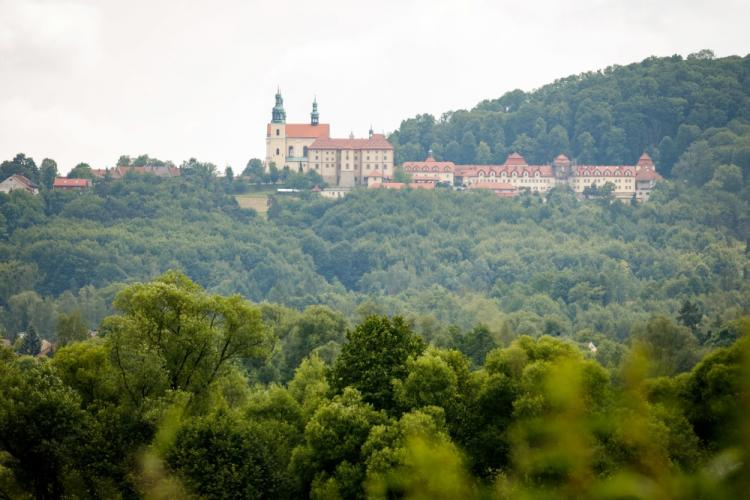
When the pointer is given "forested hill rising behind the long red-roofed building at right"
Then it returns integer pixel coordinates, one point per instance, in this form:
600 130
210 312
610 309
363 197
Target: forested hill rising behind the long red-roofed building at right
660 105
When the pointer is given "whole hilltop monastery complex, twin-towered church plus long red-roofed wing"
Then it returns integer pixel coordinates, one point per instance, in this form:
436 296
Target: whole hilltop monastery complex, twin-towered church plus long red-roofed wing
346 163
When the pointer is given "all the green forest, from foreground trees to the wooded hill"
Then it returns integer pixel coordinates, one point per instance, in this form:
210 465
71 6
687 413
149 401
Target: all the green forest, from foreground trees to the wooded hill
420 344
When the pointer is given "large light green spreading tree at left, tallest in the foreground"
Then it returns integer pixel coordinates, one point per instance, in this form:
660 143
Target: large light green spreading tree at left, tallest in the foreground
172 334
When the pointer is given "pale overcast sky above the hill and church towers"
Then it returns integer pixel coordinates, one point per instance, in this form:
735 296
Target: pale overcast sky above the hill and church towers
88 81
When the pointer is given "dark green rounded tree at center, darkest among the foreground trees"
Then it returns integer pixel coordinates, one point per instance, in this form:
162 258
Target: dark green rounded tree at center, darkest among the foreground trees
375 354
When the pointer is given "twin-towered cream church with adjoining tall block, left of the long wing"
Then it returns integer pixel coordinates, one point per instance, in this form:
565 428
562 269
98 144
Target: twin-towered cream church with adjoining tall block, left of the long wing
302 147
